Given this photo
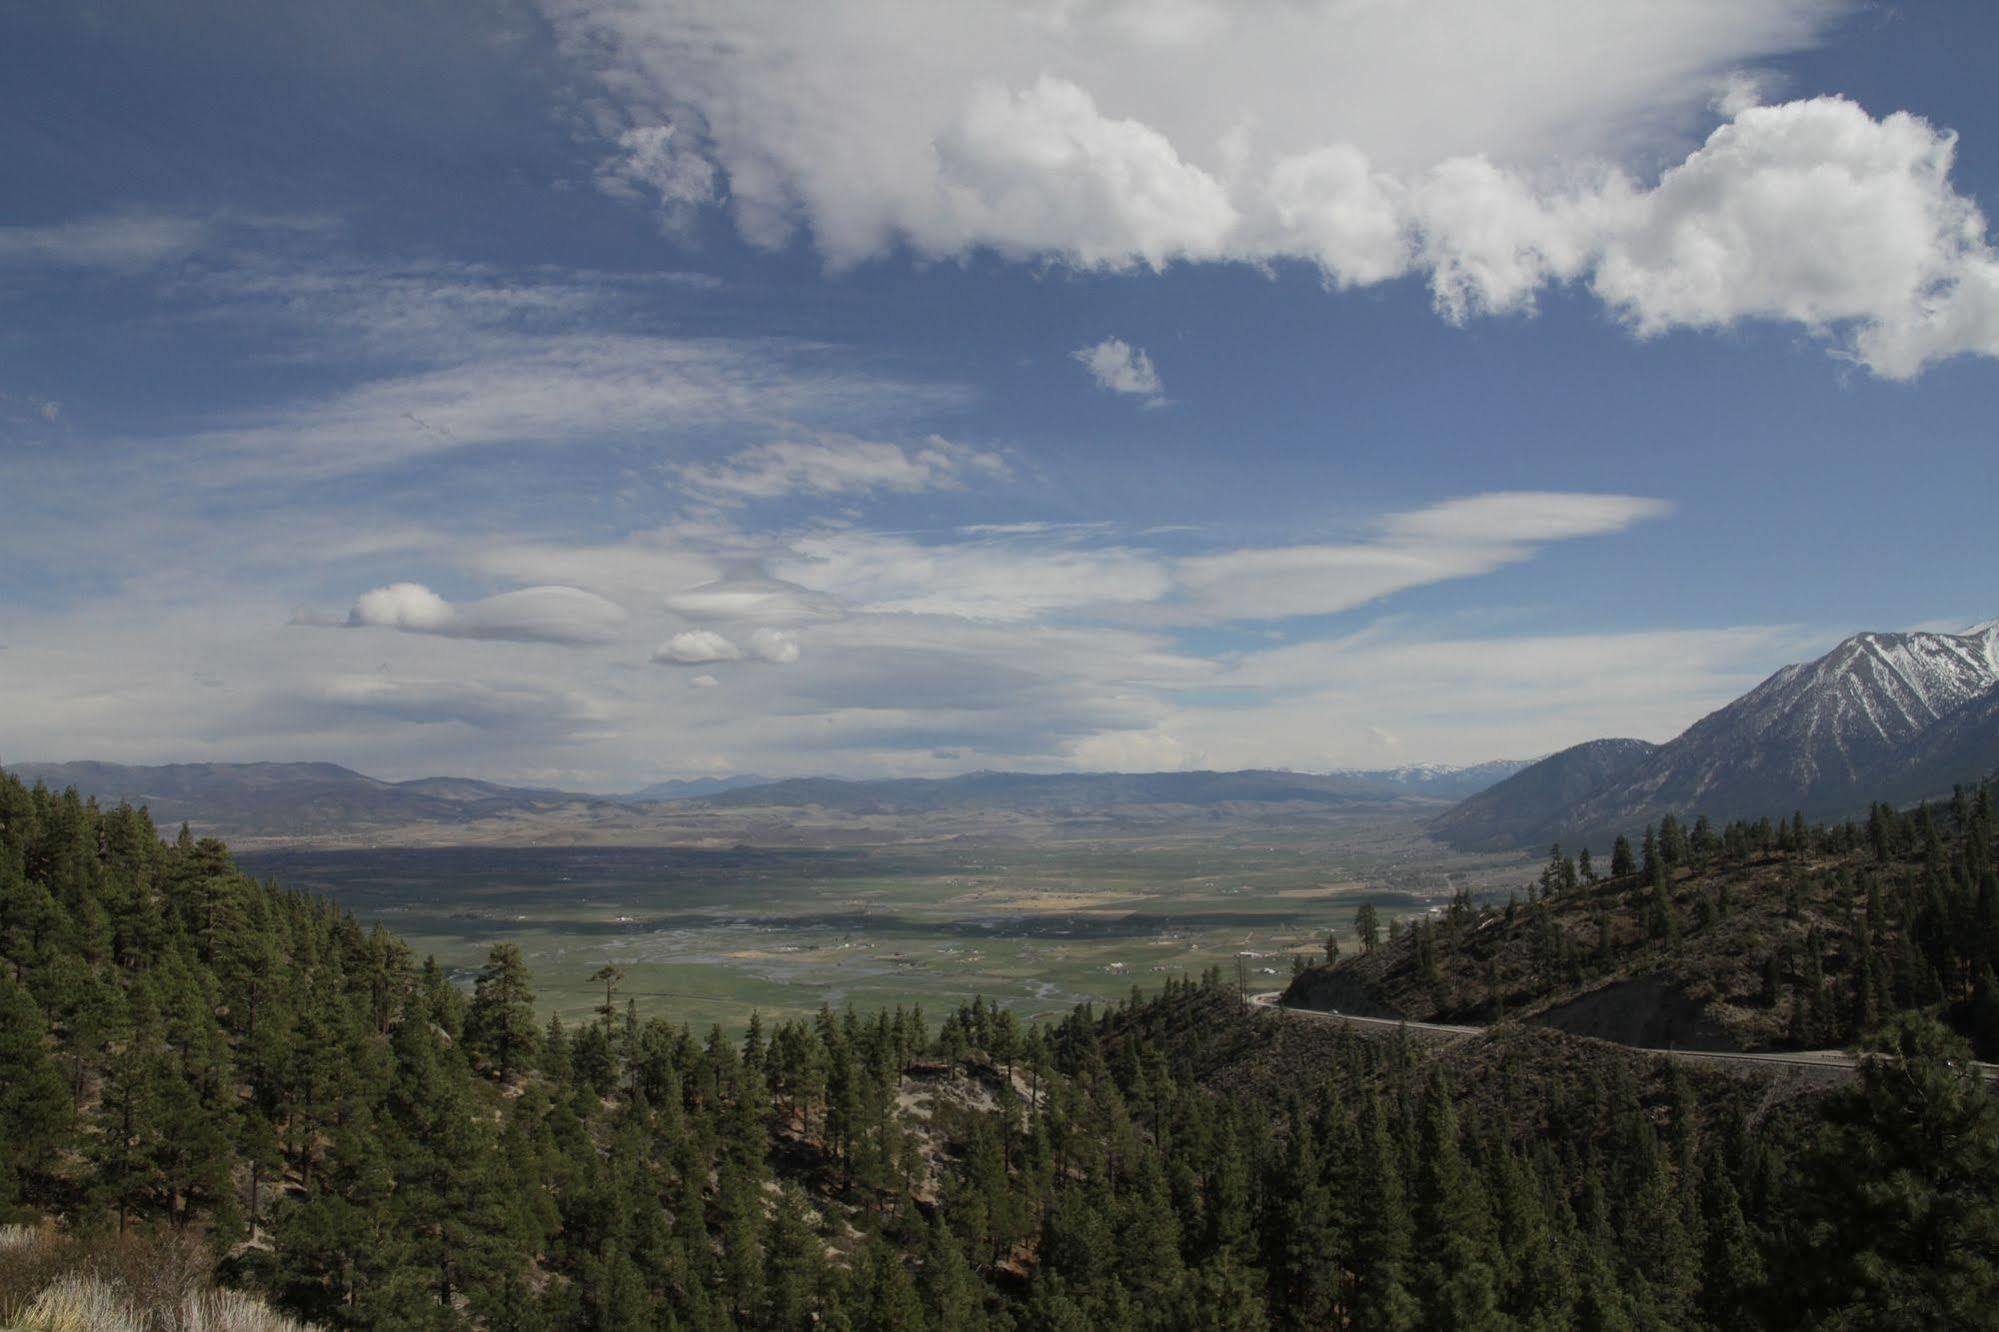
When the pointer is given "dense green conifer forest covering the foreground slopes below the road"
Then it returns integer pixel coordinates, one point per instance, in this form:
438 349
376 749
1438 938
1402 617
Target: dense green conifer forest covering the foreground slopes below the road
193 1057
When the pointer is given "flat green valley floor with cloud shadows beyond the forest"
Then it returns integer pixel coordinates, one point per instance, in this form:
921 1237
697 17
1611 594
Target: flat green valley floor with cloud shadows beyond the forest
713 935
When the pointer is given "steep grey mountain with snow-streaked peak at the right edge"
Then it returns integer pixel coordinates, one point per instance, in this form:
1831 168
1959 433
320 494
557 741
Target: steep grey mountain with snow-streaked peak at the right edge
1882 717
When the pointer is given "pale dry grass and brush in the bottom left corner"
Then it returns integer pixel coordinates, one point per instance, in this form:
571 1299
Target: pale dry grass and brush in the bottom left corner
157 1283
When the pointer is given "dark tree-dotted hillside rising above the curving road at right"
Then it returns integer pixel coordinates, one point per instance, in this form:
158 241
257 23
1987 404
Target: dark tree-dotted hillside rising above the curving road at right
1760 935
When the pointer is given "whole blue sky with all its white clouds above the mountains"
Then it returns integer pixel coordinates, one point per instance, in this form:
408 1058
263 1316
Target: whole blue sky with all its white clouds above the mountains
601 391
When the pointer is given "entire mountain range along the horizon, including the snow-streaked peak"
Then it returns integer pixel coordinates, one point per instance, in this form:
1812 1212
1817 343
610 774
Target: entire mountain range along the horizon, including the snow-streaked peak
1882 717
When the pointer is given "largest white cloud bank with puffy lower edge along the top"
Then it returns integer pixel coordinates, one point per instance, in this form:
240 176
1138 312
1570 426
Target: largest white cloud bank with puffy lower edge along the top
1490 151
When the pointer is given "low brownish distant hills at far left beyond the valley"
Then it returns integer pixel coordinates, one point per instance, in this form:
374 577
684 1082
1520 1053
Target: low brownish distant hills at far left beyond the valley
297 799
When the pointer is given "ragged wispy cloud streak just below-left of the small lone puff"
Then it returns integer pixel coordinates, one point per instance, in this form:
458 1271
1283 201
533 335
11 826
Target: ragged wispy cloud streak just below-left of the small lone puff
839 465
